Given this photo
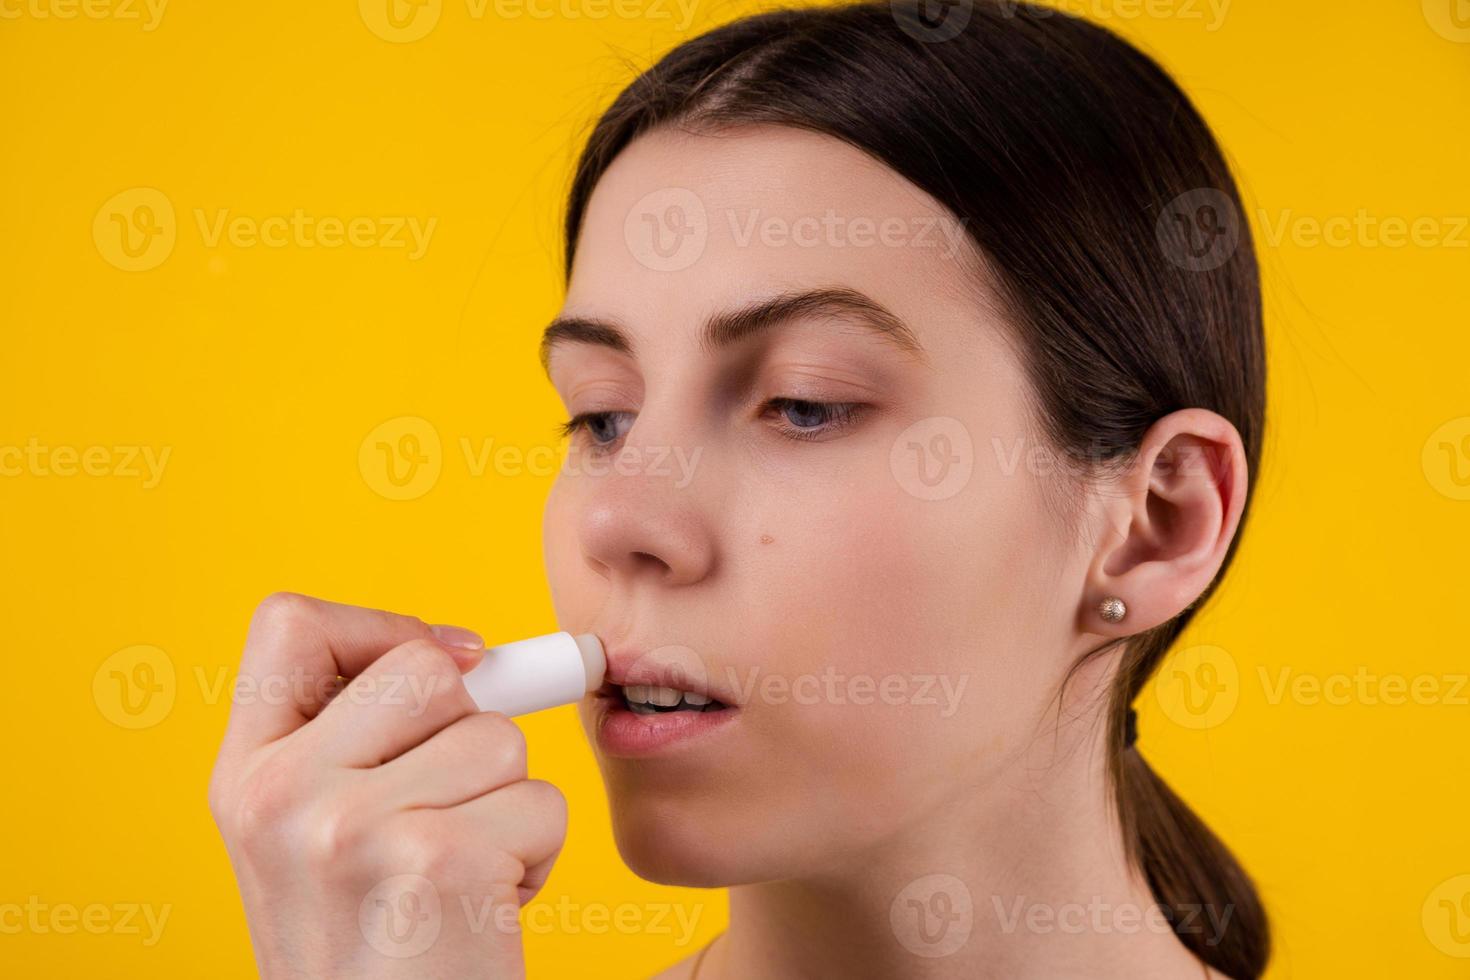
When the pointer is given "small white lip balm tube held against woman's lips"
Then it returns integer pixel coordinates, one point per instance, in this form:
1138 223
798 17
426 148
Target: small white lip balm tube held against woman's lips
537 674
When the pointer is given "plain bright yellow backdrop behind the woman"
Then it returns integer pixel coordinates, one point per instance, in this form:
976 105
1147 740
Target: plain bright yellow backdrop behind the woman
264 370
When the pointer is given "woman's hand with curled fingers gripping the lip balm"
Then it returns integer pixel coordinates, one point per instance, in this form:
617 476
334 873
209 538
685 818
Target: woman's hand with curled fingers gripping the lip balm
383 828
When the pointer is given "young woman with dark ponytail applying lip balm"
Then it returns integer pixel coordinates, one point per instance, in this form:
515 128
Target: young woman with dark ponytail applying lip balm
915 375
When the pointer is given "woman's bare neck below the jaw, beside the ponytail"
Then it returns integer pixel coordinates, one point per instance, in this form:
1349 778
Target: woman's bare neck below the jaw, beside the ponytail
1025 878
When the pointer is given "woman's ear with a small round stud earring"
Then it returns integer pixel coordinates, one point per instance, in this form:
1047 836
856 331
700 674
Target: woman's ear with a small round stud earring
1168 522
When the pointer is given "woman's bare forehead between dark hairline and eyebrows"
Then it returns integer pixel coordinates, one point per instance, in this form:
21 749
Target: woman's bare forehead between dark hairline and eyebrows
690 224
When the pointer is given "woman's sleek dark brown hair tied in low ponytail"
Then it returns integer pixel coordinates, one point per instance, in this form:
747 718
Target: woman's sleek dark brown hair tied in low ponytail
1111 226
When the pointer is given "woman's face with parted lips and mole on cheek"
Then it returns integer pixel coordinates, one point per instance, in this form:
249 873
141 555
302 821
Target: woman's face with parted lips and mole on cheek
814 494
